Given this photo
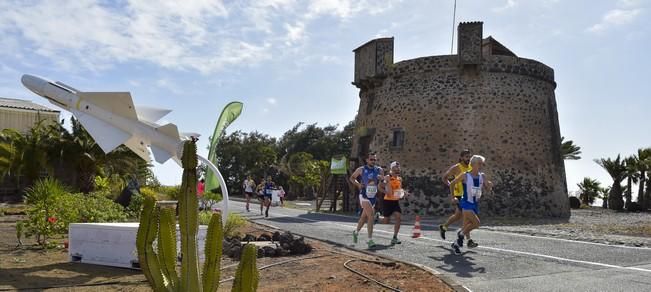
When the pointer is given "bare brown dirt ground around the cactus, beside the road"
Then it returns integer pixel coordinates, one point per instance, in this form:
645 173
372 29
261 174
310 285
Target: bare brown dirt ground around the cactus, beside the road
321 270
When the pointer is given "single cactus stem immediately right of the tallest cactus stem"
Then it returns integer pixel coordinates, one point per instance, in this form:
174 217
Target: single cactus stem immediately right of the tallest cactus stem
213 253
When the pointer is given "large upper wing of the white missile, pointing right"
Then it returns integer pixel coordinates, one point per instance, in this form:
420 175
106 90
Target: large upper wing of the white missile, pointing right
118 103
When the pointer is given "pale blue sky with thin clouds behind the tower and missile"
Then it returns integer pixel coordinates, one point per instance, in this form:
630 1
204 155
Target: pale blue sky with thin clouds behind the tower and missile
291 61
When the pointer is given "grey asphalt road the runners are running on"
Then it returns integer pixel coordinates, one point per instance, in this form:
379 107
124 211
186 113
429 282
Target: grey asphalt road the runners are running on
502 262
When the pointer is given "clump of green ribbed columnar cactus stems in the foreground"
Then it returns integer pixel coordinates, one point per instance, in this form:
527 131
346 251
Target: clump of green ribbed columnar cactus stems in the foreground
157 223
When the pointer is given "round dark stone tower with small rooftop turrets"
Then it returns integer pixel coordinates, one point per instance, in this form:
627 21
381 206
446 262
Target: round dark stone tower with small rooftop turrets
423 112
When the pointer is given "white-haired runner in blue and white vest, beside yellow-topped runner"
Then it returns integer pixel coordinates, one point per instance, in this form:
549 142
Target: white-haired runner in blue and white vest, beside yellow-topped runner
473 183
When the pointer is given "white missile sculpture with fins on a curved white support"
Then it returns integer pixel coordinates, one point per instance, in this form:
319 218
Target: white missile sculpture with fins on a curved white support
112 120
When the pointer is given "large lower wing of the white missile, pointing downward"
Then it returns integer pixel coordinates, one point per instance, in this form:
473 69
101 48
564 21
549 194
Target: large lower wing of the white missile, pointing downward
106 136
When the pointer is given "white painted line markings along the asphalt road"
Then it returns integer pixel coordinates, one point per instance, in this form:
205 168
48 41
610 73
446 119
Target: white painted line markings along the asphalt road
482 247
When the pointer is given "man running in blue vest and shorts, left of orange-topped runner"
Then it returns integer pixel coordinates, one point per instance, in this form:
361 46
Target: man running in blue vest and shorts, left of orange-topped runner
371 176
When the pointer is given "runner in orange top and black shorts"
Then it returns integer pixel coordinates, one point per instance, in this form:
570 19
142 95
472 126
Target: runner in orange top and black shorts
392 195
